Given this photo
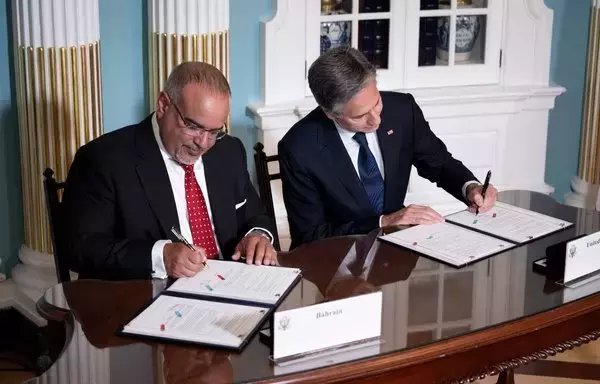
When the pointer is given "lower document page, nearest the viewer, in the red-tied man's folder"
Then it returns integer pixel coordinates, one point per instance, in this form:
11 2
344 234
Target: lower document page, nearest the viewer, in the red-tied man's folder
198 321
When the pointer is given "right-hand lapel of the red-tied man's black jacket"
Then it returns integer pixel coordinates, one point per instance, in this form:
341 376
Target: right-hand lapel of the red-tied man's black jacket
221 206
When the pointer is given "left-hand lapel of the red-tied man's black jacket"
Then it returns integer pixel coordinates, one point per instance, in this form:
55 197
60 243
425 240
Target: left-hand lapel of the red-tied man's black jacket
154 178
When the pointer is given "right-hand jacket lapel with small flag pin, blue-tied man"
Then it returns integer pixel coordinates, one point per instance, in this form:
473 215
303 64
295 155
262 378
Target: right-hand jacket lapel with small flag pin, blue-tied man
389 144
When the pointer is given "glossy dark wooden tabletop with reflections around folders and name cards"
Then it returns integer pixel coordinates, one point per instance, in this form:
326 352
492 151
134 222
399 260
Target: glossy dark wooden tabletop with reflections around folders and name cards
423 302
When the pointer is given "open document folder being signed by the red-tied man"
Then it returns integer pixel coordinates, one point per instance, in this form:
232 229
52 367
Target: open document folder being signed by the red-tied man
221 306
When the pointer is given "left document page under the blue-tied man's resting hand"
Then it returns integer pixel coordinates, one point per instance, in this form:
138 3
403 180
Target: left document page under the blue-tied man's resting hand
448 242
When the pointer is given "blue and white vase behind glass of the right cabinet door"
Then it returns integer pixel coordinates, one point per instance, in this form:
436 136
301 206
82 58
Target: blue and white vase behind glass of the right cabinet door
467 32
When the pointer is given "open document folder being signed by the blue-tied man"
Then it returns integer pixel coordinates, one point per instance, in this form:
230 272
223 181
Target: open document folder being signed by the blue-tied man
465 237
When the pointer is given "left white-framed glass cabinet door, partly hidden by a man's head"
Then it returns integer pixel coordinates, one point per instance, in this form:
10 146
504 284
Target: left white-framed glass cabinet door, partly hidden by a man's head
371 26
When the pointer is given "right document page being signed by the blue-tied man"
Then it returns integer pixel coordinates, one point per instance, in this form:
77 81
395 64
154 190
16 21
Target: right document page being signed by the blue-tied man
509 222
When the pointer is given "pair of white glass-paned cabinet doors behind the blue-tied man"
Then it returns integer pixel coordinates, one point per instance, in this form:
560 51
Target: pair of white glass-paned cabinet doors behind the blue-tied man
408 41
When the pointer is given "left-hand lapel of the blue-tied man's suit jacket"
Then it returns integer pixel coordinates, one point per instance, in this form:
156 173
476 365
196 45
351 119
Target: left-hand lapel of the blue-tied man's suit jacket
336 155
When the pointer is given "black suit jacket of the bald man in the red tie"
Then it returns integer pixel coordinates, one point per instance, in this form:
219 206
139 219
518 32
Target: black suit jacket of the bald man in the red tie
119 202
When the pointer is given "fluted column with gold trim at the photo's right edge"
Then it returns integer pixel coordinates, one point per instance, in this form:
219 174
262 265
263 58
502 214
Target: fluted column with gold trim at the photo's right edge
584 187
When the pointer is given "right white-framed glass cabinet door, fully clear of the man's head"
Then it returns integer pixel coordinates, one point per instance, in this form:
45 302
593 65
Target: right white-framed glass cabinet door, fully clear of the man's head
455 42
